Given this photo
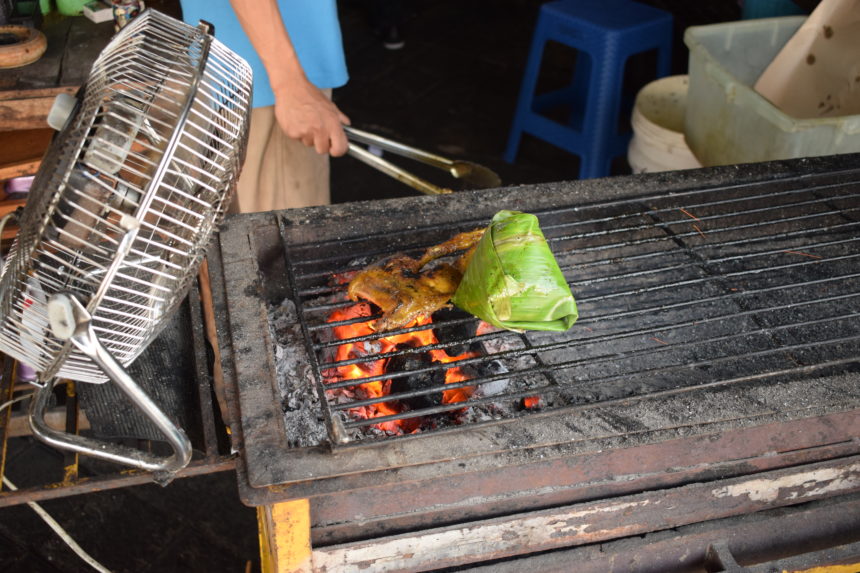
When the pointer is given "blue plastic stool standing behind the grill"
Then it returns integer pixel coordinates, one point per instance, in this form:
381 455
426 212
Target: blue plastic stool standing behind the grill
607 33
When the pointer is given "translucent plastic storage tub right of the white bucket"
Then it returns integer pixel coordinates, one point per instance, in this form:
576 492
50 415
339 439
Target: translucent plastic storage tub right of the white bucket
728 122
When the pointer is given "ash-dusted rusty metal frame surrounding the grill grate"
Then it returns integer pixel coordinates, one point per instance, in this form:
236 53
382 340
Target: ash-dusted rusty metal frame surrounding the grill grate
484 455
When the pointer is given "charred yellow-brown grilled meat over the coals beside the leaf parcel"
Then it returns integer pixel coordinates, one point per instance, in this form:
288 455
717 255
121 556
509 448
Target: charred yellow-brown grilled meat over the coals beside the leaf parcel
404 291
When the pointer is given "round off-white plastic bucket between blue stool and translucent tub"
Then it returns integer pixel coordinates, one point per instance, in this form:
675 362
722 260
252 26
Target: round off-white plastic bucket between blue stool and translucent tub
658 142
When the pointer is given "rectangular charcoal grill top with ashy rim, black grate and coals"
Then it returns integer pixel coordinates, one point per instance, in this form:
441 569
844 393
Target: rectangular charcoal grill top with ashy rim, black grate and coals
711 300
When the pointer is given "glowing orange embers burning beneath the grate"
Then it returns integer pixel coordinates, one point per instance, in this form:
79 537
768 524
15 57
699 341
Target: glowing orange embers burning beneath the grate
372 367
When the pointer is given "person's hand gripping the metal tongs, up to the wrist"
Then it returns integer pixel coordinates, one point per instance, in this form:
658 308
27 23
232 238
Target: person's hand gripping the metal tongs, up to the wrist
305 113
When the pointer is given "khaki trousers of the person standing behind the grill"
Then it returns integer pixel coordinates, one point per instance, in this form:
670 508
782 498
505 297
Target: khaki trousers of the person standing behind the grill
279 172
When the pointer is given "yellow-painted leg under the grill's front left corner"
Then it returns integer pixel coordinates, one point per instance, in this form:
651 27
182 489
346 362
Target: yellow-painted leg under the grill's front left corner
285 537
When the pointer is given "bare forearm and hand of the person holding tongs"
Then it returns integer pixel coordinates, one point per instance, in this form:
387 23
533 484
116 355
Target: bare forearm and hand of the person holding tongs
303 111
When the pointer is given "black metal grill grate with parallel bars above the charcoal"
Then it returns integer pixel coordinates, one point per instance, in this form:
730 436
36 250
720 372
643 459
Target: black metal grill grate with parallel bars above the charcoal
697 288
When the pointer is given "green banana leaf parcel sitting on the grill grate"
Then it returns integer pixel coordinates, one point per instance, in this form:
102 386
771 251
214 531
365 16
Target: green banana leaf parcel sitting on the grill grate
513 280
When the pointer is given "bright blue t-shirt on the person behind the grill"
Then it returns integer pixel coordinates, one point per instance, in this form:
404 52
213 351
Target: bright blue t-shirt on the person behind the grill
313 28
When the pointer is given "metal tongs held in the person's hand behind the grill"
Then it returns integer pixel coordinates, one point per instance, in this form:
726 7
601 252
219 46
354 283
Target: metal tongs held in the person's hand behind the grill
474 174
